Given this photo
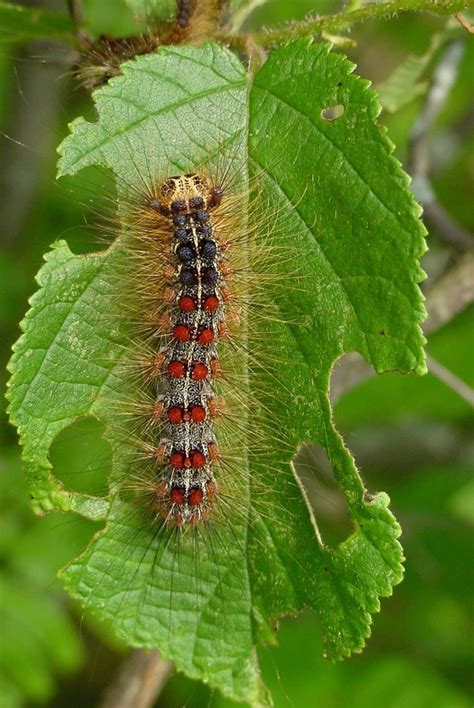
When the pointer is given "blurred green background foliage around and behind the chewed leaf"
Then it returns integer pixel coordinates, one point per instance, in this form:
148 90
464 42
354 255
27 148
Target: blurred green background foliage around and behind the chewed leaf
411 437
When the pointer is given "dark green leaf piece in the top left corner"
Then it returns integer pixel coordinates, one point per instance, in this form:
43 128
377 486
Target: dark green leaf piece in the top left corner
22 24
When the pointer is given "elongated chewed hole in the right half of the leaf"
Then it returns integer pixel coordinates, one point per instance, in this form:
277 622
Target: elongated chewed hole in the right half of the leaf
329 506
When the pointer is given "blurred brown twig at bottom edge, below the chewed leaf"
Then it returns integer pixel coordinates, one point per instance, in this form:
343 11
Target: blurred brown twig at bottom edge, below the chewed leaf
139 681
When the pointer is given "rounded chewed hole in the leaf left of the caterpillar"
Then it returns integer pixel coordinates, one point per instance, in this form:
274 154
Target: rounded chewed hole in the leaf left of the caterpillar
81 458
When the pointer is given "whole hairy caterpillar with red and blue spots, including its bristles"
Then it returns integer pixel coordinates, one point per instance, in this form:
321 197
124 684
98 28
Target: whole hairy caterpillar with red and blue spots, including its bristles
189 243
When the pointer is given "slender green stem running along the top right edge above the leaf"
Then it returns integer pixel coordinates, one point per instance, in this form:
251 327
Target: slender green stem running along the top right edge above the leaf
343 20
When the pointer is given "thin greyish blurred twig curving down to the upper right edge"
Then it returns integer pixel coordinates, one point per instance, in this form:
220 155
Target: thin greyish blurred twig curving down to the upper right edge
435 215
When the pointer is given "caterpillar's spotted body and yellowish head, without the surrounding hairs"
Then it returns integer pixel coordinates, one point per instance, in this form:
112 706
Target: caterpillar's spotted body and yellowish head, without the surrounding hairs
189 361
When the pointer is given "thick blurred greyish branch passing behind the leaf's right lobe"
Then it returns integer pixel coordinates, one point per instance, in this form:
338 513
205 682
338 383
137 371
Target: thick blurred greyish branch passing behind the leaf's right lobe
453 293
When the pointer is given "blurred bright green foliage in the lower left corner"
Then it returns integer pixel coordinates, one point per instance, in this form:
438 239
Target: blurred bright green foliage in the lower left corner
39 639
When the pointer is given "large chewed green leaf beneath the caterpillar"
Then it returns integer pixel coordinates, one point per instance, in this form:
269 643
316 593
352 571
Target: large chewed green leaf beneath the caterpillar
345 212
